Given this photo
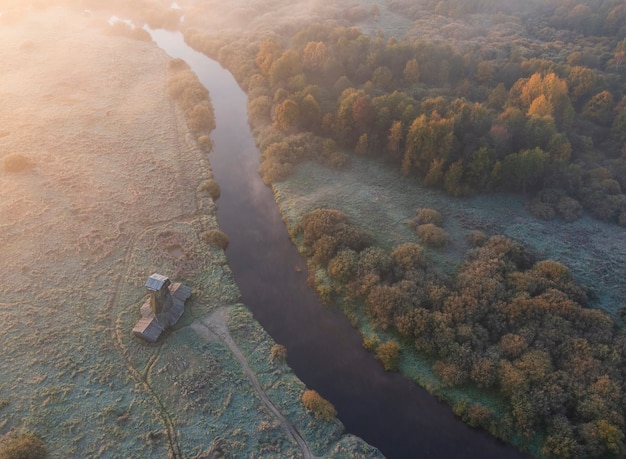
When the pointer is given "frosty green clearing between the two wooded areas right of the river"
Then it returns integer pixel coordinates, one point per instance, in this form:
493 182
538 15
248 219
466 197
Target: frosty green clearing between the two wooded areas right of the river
376 198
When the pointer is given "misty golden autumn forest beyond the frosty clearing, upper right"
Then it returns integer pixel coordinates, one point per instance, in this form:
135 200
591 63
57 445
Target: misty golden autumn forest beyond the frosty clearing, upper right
541 114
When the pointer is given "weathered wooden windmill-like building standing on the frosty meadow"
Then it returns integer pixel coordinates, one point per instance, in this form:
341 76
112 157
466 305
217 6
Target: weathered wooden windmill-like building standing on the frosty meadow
163 307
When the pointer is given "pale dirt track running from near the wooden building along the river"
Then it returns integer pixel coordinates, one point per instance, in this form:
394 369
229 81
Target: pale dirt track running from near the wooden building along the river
217 324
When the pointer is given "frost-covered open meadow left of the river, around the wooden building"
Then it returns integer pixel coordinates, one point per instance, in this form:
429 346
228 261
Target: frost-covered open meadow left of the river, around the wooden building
109 193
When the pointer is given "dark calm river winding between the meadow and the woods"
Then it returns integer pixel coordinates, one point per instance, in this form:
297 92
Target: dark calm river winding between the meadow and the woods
385 409
